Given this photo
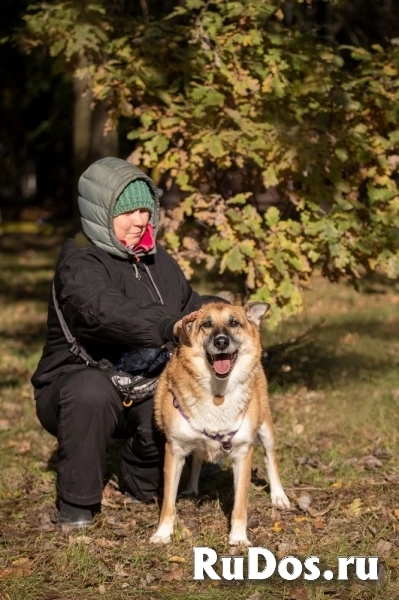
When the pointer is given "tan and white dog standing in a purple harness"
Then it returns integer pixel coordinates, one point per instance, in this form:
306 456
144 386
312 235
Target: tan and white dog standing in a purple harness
211 401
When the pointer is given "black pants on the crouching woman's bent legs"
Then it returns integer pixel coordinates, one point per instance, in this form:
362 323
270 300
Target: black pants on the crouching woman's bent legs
84 410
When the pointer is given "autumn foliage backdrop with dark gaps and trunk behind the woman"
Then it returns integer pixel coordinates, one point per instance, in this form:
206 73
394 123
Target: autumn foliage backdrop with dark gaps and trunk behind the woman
271 127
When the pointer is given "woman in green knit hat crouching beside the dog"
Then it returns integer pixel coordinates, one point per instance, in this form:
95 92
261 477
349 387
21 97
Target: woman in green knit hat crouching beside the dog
117 289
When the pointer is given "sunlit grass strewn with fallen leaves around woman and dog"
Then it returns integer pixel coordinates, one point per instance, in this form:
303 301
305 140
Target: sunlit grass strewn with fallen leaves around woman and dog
334 397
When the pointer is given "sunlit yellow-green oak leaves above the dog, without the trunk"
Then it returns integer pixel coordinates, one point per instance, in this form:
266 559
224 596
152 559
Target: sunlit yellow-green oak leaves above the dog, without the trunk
256 101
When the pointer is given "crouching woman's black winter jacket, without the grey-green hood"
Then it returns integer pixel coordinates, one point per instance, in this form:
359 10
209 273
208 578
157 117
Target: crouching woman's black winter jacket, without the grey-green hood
109 309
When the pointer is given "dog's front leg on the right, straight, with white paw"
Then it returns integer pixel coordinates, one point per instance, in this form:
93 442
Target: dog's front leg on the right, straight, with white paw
242 480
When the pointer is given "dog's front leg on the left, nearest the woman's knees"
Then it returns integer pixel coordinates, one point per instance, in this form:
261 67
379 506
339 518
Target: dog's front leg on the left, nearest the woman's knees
172 471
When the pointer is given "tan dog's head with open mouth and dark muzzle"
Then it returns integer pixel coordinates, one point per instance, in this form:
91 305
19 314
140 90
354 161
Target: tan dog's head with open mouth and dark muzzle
222 333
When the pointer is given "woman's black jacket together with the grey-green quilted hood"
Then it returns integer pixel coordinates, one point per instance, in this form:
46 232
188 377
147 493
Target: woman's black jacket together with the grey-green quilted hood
111 300
